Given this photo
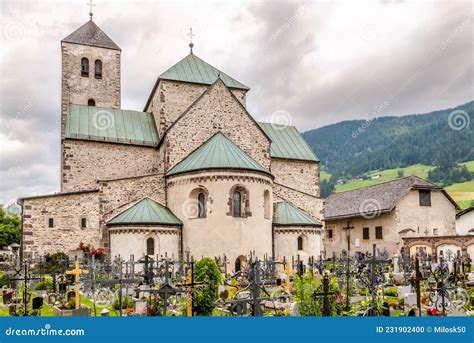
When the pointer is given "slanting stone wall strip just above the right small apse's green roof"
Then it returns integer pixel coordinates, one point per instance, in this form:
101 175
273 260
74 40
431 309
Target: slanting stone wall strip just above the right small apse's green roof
308 203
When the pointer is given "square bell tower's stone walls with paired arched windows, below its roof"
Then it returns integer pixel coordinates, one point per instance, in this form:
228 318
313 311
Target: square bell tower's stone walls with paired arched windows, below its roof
77 89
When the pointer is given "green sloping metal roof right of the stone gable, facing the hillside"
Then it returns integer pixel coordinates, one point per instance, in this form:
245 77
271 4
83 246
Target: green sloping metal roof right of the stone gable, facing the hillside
287 143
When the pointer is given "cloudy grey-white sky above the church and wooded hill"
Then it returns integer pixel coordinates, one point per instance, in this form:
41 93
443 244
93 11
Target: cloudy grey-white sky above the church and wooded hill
308 63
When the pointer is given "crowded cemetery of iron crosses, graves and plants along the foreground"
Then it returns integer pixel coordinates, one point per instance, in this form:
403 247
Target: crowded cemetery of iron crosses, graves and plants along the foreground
364 284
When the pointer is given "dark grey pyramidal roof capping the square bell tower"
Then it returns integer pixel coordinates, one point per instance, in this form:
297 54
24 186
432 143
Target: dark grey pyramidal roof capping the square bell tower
90 34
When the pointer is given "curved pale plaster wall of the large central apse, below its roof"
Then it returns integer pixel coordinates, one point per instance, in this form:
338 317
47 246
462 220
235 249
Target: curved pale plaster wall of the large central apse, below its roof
220 232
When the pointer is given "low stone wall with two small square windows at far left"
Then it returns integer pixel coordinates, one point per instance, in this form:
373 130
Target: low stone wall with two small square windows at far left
66 211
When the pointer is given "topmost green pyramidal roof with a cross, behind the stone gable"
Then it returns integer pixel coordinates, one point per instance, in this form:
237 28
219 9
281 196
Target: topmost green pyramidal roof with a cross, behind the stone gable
193 69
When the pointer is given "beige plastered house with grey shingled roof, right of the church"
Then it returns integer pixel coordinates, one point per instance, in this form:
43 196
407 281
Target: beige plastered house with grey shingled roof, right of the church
386 213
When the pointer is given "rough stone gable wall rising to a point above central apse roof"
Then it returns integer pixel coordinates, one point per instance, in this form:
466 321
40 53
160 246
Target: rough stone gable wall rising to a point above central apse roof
216 111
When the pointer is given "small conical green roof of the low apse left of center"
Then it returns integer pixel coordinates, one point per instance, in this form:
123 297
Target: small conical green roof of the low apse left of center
146 211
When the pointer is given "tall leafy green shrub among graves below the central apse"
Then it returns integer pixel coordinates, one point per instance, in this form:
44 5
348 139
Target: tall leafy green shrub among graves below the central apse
207 272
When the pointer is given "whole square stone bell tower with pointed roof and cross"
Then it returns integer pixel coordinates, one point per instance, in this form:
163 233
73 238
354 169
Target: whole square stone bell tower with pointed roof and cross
90 70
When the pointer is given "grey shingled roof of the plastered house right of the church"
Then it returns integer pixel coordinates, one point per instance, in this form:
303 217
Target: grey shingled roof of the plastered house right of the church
379 198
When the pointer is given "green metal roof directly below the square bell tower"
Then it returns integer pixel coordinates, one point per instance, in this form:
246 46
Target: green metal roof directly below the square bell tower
111 125
